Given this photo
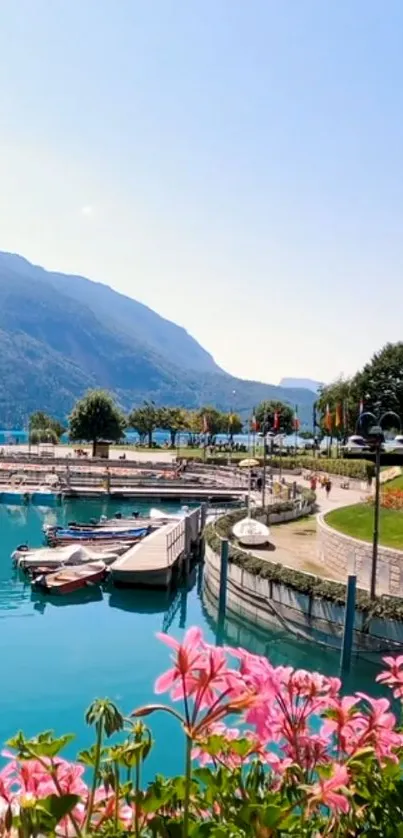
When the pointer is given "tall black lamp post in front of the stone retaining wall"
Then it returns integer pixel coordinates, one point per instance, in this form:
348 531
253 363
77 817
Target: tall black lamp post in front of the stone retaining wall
371 428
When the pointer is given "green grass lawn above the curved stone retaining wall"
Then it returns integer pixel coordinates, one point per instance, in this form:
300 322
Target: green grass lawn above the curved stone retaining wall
358 521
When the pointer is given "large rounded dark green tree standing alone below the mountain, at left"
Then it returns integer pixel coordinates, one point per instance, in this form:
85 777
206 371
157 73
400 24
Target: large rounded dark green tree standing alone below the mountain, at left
96 417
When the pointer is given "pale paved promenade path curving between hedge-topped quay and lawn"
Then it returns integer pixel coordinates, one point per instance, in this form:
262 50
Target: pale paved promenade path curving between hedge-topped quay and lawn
294 544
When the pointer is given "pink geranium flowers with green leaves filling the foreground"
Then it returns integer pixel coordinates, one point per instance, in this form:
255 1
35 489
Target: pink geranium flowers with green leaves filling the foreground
304 761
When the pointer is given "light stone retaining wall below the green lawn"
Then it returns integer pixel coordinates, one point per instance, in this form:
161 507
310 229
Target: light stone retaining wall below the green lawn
343 554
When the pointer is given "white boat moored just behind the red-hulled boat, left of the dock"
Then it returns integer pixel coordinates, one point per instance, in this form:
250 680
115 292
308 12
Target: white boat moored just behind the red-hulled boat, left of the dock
71 554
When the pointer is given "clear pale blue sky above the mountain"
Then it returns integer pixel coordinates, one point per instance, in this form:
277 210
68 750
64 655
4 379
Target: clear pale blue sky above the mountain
235 165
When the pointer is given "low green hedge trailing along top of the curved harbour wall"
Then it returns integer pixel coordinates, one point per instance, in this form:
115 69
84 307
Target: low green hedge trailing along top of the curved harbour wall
387 607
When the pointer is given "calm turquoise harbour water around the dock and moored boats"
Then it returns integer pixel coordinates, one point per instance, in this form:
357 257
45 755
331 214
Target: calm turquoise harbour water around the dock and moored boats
57 655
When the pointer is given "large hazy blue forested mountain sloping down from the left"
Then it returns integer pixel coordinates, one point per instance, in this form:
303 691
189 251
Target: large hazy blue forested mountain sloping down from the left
60 335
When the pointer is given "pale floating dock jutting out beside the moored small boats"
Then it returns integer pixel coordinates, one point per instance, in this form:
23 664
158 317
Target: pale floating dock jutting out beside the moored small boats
152 561
